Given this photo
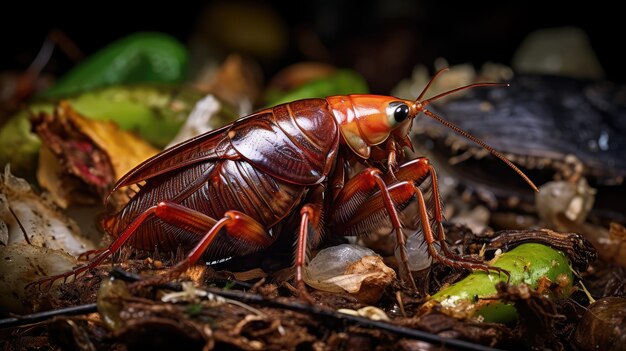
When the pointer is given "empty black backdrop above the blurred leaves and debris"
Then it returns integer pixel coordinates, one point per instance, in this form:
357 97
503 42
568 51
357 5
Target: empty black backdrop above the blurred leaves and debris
396 34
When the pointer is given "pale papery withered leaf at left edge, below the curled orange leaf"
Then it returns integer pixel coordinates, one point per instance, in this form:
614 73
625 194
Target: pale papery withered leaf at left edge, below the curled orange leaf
37 240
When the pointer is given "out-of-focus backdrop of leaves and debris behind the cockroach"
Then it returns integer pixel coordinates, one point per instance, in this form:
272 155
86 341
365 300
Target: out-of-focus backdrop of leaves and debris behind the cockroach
564 127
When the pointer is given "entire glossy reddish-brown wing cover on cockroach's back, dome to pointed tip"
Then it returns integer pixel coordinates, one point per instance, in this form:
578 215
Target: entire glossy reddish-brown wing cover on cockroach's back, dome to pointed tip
295 142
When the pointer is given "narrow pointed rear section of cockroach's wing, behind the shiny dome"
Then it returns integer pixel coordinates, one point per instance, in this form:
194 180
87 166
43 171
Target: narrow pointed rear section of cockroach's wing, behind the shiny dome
205 147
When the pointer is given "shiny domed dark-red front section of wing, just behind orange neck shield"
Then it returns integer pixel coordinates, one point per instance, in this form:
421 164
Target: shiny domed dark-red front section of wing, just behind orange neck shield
296 142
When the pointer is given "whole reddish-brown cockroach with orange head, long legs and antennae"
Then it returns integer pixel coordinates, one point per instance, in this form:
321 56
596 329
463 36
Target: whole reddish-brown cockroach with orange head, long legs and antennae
232 191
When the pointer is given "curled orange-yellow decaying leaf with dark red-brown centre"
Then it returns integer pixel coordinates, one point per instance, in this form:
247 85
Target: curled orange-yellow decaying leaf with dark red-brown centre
84 156
